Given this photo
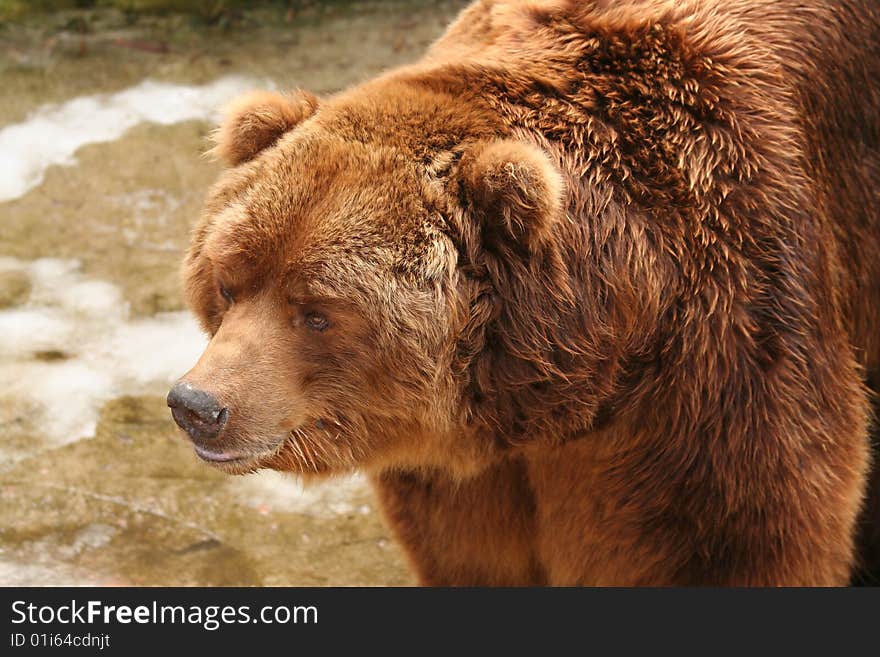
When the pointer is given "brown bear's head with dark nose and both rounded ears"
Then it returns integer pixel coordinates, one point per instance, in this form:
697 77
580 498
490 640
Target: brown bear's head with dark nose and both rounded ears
351 268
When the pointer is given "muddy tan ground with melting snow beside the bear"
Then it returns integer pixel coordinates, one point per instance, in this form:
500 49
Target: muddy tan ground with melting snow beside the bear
96 485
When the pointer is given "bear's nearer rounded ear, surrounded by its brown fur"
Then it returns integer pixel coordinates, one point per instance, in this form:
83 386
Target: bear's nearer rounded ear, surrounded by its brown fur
515 191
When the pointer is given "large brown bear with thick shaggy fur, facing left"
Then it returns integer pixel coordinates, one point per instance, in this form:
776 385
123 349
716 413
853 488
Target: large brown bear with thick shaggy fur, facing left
591 292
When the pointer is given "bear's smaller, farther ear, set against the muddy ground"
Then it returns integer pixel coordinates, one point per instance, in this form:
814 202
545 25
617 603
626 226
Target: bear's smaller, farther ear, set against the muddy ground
256 121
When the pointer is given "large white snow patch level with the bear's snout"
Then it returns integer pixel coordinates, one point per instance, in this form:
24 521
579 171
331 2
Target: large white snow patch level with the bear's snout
96 351
